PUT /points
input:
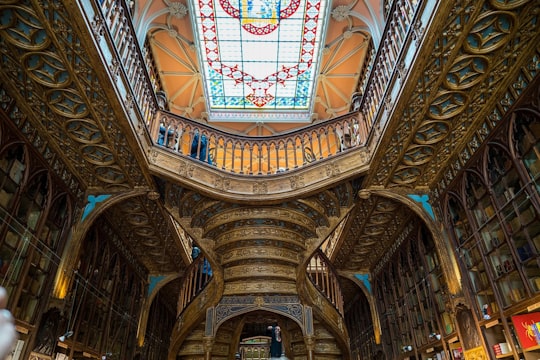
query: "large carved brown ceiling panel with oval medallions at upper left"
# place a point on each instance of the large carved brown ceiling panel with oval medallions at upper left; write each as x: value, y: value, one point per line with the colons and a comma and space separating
x: 46, y: 66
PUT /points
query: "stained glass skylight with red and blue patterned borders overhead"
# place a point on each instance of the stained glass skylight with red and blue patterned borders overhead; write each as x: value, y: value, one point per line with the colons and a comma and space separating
x: 259, y: 57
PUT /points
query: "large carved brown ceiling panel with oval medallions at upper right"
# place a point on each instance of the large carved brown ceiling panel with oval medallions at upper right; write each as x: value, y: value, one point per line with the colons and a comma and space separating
x: 474, y: 63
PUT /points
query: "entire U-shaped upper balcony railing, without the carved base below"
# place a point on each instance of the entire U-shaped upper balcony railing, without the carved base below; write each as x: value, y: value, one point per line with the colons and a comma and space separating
x: 256, y: 155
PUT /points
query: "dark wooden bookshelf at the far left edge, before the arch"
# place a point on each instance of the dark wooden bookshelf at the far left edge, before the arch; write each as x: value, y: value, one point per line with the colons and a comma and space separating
x: 28, y: 242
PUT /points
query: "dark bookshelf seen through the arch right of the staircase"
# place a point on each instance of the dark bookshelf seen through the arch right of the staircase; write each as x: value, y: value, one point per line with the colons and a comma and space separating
x: 411, y: 297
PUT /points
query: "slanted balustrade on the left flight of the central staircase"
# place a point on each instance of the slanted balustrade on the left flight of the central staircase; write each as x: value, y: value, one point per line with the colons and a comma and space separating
x: 198, y: 274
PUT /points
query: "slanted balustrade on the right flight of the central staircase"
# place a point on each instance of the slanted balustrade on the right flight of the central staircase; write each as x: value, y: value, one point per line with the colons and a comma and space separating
x: 324, y: 277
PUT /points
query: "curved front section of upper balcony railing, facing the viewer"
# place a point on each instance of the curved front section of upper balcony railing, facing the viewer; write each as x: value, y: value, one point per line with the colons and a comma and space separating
x: 259, y: 155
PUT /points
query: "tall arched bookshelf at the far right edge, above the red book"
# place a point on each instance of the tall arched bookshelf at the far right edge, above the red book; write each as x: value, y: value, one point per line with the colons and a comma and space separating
x: 493, y: 213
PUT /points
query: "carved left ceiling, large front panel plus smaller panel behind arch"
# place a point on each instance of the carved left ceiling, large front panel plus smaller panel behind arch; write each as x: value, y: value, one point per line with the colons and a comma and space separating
x: 65, y: 108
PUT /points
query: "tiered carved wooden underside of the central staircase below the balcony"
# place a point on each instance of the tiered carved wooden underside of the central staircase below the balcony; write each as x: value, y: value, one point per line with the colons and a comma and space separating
x: 259, y: 247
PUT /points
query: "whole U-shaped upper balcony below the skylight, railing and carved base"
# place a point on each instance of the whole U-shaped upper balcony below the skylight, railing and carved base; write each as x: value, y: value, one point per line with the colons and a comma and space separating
x: 303, y: 154
